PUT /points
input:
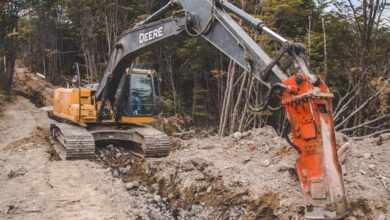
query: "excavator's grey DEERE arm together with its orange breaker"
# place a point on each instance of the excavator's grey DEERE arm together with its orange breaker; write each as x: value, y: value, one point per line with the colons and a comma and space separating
x: 304, y: 95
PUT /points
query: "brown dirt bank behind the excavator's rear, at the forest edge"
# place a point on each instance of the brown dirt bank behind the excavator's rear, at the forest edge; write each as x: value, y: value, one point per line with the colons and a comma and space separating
x: 28, y: 84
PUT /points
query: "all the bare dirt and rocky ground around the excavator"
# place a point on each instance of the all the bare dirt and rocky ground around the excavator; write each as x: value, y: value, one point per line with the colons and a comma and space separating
x: 246, y: 176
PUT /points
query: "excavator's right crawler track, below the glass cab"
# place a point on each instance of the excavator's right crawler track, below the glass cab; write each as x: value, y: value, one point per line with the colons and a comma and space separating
x: 145, y: 140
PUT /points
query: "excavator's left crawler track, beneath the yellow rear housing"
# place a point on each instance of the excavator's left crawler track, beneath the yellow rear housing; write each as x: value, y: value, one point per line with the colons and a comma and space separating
x: 72, y: 142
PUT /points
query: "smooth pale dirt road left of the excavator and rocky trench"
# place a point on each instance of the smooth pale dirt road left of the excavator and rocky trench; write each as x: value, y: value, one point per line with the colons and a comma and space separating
x: 34, y: 187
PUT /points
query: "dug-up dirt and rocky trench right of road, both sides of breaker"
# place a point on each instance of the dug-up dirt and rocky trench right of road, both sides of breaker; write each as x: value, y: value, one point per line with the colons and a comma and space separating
x: 249, y: 176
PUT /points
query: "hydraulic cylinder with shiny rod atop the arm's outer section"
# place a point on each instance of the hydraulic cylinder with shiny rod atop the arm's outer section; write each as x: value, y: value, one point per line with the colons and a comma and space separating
x: 254, y: 22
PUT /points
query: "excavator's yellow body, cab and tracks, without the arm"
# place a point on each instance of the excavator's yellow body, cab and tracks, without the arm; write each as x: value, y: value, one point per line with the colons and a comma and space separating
x: 75, y: 137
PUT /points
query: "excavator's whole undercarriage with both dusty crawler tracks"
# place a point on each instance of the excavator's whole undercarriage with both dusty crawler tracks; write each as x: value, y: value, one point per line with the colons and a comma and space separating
x: 73, y: 142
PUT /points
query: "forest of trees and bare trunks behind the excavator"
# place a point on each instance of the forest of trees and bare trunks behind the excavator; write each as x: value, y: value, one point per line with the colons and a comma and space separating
x: 347, y: 43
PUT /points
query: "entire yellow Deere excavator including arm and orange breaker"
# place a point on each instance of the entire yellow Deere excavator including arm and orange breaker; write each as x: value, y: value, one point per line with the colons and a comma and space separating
x: 121, y: 106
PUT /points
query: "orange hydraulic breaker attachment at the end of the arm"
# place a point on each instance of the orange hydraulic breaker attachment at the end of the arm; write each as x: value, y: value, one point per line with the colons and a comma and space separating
x: 309, y: 111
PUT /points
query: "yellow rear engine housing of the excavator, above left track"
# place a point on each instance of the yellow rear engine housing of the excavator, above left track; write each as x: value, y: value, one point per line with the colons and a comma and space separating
x: 66, y: 105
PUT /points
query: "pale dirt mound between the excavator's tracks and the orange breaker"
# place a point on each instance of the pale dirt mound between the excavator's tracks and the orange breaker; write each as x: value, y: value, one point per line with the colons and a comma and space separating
x: 246, y: 176
